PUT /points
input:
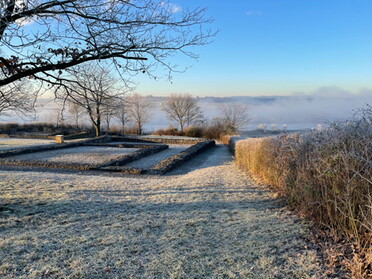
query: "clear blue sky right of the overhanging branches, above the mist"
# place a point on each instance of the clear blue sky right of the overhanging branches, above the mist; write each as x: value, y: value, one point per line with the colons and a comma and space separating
x: 277, y: 47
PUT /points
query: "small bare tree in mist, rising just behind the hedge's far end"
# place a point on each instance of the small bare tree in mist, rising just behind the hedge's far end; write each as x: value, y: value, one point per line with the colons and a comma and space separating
x: 234, y: 116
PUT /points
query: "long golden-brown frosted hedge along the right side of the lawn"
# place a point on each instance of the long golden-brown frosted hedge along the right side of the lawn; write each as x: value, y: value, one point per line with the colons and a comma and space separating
x: 327, y: 175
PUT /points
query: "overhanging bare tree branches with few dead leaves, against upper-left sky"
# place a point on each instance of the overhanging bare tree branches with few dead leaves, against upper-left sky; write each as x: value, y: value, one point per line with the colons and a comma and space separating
x: 133, y: 35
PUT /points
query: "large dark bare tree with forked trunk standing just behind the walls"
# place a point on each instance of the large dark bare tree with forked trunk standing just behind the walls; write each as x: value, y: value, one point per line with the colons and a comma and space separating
x: 94, y: 90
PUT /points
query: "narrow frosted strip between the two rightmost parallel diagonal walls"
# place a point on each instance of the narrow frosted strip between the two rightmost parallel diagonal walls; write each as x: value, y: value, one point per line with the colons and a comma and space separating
x: 150, y: 161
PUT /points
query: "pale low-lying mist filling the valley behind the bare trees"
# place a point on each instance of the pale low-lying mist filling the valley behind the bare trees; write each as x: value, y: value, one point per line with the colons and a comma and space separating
x: 297, y: 111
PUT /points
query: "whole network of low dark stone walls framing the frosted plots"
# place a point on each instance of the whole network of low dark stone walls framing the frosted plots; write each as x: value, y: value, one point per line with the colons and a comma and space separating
x: 113, y: 165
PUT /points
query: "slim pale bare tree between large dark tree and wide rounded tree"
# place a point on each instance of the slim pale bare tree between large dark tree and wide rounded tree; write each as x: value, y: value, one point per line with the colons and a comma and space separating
x: 139, y: 111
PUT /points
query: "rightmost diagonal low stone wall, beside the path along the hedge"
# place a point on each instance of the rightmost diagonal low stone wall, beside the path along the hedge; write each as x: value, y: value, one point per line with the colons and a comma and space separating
x: 172, y: 162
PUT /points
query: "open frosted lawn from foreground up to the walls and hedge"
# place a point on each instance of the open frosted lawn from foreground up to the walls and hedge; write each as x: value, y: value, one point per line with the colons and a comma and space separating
x: 203, y: 220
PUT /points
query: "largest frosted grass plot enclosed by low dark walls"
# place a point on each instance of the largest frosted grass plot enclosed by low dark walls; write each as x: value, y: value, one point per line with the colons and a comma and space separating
x: 82, y: 154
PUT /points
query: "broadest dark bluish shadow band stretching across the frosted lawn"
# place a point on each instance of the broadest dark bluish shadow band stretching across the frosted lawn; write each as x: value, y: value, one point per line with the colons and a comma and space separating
x: 102, y: 209
